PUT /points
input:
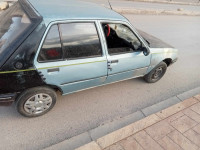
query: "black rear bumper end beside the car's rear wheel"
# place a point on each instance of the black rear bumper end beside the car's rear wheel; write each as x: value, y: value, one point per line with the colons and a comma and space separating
x: 7, y: 99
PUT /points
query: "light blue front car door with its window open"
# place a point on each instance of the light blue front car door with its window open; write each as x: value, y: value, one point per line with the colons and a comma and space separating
x: 124, y: 52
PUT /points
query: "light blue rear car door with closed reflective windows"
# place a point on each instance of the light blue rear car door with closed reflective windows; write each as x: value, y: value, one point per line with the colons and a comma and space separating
x: 71, y: 56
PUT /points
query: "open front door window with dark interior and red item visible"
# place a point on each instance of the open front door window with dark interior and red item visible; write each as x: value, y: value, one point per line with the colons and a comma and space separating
x: 120, y: 39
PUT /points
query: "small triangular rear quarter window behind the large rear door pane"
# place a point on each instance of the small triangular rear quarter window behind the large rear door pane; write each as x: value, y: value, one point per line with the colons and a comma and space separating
x: 51, y: 49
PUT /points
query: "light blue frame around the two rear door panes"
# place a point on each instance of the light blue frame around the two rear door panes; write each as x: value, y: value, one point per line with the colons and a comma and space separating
x: 67, y: 22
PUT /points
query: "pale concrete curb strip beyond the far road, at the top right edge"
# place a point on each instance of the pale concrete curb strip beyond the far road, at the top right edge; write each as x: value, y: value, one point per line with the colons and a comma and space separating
x: 167, y: 2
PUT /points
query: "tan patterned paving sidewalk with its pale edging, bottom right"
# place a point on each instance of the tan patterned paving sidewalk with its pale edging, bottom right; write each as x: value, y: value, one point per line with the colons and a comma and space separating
x: 174, y: 128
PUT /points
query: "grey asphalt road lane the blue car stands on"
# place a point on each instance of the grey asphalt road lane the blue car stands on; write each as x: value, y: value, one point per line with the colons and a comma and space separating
x: 79, y: 112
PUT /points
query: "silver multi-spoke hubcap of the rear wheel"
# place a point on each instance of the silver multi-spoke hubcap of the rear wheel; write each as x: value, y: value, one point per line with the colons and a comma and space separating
x: 38, y: 103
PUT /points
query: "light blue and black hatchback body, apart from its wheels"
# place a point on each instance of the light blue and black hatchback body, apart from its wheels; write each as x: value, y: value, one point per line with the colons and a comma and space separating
x: 71, y: 46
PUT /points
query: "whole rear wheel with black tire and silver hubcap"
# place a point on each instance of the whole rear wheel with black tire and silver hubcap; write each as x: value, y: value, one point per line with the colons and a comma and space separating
x: 36, y: 101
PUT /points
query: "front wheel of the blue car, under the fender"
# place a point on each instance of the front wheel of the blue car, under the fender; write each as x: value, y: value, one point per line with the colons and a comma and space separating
x: 157, y: 73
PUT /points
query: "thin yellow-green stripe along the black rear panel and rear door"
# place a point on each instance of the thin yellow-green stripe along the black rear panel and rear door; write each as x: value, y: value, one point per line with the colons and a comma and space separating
x: 4, y: 72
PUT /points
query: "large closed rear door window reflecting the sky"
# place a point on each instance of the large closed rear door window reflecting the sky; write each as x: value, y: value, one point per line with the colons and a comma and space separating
x: 80, y: 40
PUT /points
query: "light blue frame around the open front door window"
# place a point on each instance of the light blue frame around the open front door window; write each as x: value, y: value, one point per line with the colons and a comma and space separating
x: 130, y: 26
